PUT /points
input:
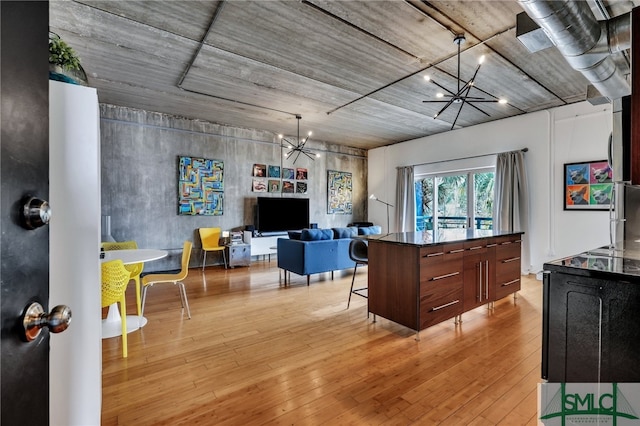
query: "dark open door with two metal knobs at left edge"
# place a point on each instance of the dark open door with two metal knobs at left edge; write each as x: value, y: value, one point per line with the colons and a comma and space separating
x: 24, y: 170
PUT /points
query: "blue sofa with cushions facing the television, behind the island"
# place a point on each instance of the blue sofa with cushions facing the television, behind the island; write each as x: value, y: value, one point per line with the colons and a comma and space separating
x: 313, y: 251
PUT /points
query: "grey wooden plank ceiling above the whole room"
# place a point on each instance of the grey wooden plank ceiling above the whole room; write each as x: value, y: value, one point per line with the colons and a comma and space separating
x: 352, y: 69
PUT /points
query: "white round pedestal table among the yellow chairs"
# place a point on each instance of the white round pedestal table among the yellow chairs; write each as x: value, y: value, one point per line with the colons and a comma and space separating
x: 112, y: 325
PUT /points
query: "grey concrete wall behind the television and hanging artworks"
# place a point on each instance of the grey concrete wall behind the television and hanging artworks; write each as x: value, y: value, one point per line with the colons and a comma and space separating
x: 139, y: 155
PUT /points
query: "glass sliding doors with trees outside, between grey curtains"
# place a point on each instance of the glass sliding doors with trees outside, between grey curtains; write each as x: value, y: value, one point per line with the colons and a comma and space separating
x: 455, y: 200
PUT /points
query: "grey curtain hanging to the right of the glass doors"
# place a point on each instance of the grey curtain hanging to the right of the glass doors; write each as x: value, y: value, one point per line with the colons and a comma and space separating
x: 511, y: 203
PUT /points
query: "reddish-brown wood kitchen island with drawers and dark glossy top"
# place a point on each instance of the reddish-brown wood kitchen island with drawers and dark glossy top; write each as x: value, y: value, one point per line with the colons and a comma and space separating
x: 419, y: 279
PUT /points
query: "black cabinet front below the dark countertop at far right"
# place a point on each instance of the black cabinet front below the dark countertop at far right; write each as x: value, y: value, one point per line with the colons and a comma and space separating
x: 591, y: 329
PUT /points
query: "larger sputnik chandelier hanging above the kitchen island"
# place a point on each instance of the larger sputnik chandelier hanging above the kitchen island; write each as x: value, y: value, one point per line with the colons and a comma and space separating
x: 461, y: 97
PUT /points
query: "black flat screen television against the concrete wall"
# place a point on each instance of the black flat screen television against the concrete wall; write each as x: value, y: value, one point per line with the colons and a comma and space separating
x: 281, y: 214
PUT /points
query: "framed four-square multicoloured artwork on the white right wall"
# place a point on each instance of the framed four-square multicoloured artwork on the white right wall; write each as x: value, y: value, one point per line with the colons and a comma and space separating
x: 588, y: 185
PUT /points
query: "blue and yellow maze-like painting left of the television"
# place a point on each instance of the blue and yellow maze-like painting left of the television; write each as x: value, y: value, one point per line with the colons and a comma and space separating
x: 200, y: 186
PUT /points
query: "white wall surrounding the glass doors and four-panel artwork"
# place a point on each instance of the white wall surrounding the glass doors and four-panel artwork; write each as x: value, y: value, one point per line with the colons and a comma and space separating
x: 569, y: 134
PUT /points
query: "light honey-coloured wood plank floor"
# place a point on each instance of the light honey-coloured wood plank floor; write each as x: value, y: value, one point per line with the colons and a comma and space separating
x: 256, y: 352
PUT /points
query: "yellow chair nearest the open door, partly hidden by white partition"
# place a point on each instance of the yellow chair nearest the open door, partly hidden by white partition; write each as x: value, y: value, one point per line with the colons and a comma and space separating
x: 115, y: 278
